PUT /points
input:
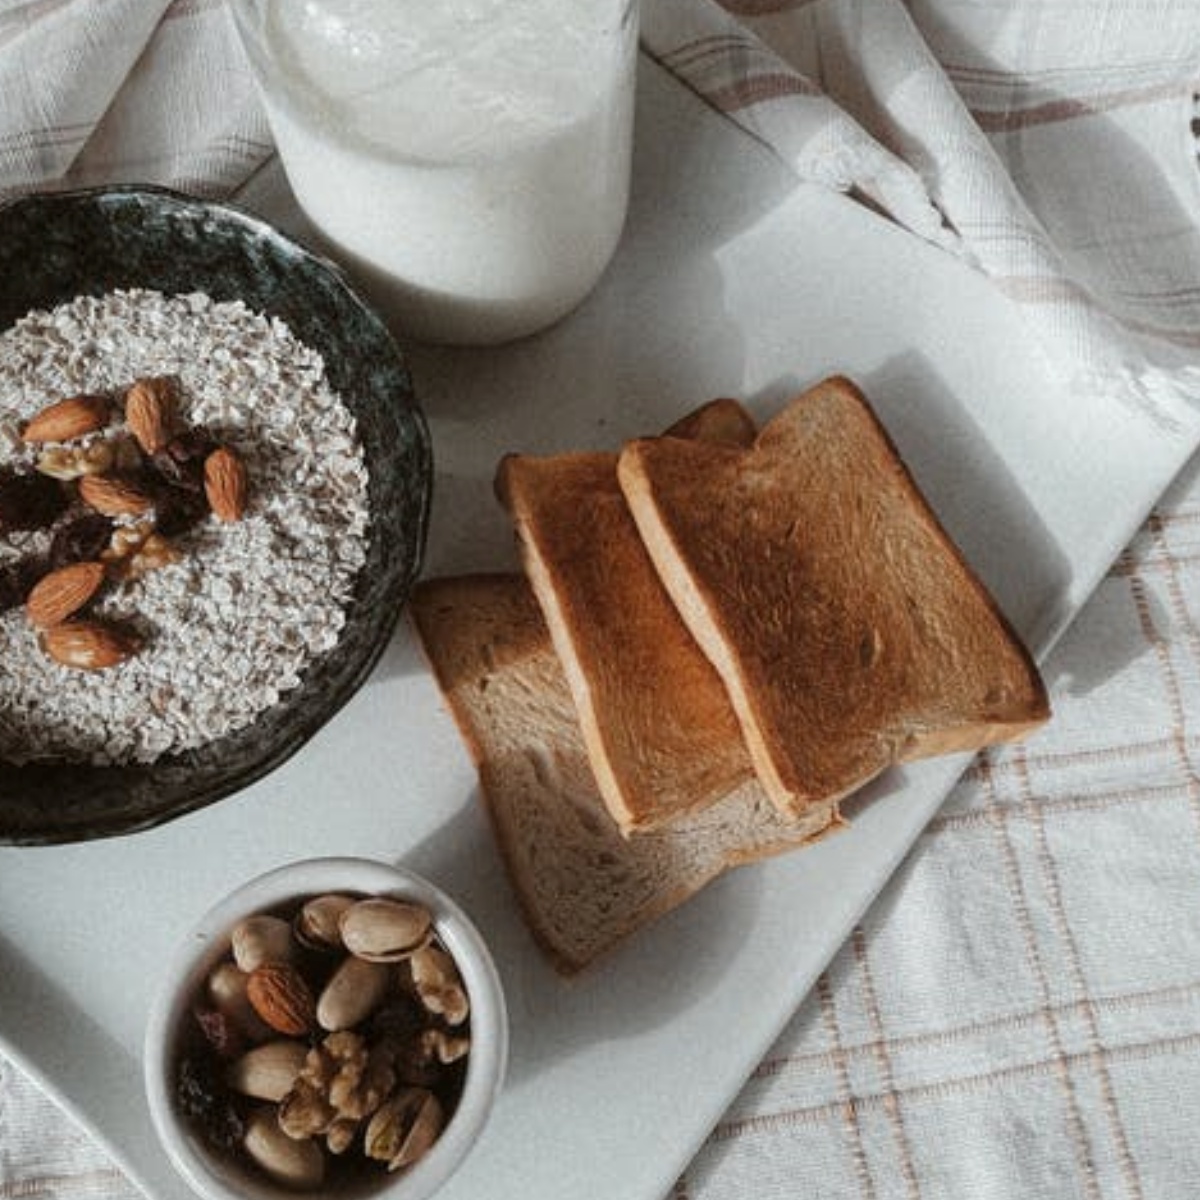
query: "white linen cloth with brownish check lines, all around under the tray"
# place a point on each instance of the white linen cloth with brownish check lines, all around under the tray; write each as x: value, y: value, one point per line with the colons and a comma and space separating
x: 1019, y: 1015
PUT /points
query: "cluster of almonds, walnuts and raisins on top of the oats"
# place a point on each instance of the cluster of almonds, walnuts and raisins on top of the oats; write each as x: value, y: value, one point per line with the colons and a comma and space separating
x: 118, y: 478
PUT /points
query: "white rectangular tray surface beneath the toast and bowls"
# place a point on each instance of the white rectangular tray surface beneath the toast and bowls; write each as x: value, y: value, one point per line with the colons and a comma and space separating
x: 731, y: 280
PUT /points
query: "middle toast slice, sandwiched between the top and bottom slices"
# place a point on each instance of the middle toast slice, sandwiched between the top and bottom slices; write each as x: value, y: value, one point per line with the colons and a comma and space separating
x: 657, y: 721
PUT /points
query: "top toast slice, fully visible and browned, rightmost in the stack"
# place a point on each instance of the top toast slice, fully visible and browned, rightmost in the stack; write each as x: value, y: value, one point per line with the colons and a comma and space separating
x: 849, y: 631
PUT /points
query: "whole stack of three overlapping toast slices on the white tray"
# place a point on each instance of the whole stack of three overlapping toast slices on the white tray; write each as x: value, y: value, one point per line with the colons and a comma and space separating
x: 721, y: 633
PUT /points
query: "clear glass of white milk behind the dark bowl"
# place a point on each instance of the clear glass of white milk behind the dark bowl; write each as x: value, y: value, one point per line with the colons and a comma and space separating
x: 467, y: 160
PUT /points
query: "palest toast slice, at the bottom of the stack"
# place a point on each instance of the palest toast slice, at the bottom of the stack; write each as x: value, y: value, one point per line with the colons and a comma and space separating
x: 581, y: 885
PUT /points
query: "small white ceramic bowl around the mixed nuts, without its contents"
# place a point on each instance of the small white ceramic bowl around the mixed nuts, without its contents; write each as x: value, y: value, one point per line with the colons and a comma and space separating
x: 223, y: 1177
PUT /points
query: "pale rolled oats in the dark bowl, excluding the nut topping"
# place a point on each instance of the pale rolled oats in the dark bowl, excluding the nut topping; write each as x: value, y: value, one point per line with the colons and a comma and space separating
x: 243, y: 609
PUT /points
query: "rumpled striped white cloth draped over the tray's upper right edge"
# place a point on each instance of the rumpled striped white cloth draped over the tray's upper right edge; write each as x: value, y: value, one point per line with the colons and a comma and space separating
x: 1053, y: 140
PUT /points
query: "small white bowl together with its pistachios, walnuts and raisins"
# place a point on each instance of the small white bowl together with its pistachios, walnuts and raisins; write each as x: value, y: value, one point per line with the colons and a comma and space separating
x: 337, y: 1025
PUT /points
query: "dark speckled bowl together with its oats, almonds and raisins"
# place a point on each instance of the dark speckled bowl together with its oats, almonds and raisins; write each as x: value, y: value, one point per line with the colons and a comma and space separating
x: 215, y: 485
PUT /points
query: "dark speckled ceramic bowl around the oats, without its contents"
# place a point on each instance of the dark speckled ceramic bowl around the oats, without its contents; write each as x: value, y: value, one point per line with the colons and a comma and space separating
x: 56, y: 248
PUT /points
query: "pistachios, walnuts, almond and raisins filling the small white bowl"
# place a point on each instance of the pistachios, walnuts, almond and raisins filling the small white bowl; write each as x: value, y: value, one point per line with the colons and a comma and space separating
x: 335, y: 1034
